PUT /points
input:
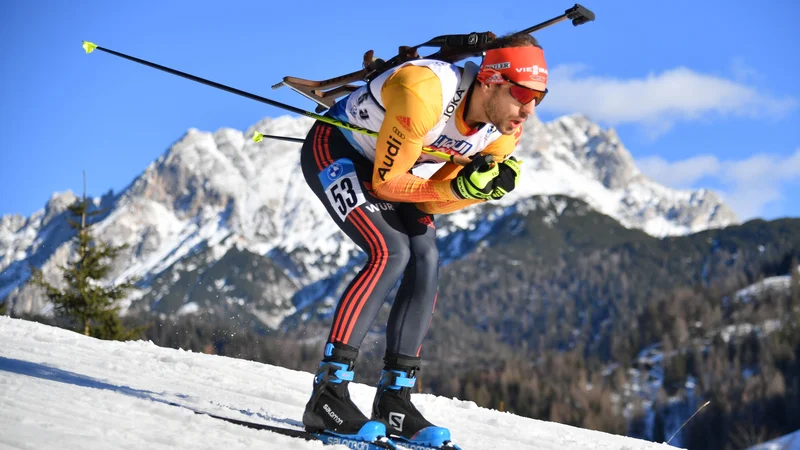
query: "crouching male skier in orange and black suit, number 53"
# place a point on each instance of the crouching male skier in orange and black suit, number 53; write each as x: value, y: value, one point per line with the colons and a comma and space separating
x: 367, y: 187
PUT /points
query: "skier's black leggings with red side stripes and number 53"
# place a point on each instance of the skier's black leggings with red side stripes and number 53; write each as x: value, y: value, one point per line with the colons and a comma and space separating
x: 398, y: 238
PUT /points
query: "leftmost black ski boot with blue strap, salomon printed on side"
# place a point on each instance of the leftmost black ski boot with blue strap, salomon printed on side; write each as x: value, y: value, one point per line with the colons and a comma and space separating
x: 330, y: 409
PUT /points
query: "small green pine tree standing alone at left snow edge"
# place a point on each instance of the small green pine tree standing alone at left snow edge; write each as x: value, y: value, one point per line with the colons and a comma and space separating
x: 85, y: 299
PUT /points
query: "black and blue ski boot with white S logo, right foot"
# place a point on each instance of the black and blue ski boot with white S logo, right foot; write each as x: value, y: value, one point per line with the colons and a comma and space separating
x: 393, y: 405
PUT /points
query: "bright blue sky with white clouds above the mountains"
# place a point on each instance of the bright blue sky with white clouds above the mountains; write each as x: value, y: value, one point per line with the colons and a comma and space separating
x: 703, y: 94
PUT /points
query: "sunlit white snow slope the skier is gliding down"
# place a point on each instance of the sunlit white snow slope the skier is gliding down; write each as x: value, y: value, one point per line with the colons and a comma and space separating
x: 63, y: 390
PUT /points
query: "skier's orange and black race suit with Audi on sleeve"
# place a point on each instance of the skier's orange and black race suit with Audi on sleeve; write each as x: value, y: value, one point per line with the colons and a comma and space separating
x: 386, y: 210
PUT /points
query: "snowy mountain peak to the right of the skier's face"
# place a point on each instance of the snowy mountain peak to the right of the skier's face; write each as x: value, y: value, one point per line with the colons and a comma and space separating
x: 573, y: 156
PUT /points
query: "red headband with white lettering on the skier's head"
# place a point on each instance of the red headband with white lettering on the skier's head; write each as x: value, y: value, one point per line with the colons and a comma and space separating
x: 519, y: 64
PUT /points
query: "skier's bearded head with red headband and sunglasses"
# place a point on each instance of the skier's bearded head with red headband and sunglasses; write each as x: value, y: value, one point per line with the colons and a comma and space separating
x: 512, y: 80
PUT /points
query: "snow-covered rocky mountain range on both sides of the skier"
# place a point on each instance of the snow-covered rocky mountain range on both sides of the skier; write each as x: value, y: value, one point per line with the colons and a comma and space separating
x: 211, y: 192
